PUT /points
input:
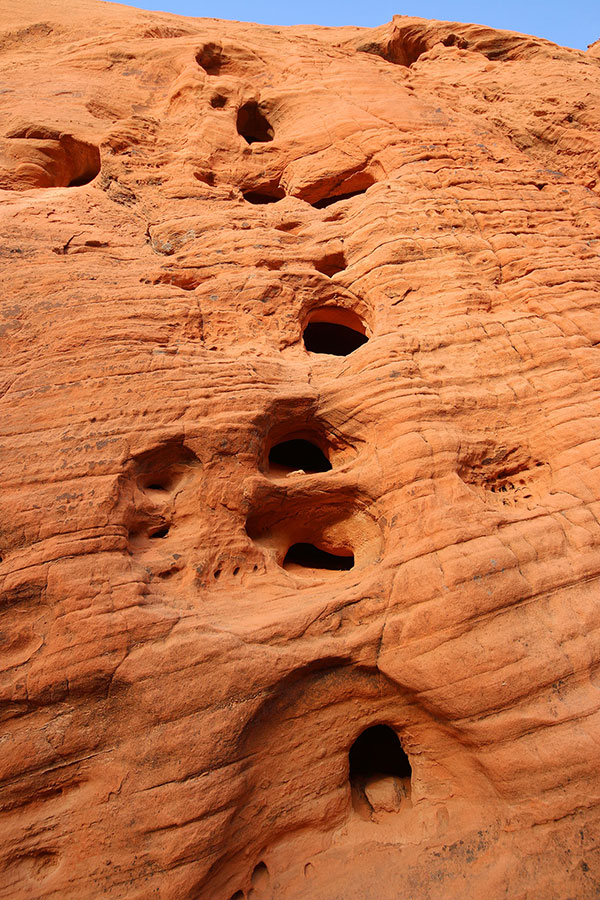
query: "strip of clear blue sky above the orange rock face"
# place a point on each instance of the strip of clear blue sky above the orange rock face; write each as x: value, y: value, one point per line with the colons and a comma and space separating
x: 573, y: 23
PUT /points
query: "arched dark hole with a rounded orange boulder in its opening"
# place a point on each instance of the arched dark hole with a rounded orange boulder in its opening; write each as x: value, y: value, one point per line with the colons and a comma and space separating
x: 379, y: 771
